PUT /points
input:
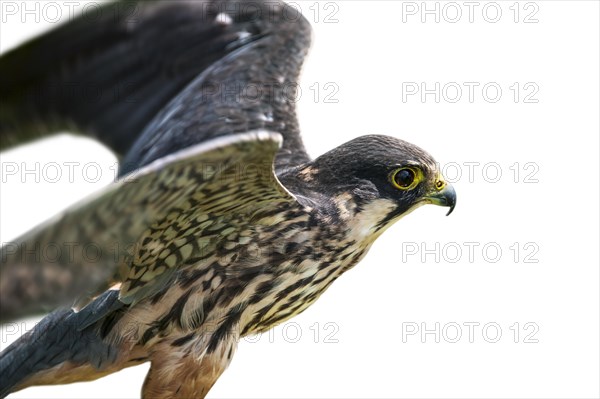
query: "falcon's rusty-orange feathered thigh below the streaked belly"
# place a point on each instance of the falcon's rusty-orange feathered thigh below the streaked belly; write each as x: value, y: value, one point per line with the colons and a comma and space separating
x: 187, y: 366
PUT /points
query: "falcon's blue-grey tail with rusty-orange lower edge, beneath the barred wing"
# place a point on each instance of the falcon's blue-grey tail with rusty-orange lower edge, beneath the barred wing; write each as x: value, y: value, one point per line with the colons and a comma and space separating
x: 55, y: 351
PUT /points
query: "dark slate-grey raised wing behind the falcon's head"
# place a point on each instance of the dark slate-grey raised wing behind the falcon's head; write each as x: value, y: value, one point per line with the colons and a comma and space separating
x: 123, y: 73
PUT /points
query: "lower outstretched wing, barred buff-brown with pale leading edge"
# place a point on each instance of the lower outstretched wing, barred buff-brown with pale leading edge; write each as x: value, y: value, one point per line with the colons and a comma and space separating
x: 134, y: 222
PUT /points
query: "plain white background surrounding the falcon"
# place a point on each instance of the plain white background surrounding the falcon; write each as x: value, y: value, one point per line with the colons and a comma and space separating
x: 370, y: 53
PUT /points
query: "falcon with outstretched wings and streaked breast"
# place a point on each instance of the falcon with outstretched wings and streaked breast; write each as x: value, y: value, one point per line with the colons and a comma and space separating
x: 220, y: 224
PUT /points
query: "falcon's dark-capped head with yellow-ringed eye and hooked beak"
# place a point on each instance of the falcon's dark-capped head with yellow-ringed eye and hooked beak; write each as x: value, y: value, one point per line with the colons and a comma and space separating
x: 378, y: 179
